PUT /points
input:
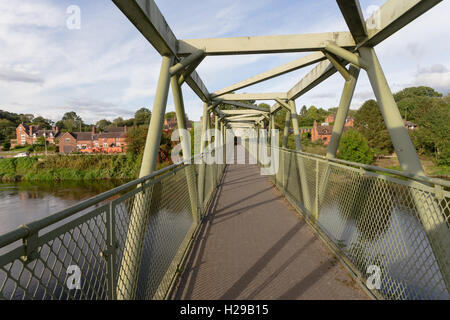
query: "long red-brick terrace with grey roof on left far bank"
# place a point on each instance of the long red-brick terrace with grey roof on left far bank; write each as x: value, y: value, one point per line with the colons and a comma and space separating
x: 113, y: 140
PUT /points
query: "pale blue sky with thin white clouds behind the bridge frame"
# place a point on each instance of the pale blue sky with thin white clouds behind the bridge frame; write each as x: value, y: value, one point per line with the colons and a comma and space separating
x: 106, y: 68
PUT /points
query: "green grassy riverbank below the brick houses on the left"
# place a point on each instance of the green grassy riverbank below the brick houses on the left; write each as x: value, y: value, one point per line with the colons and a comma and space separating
x: 60, y: 167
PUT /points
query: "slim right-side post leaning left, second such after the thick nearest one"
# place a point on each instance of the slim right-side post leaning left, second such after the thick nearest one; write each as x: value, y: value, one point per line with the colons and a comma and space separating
x: 300, y: 162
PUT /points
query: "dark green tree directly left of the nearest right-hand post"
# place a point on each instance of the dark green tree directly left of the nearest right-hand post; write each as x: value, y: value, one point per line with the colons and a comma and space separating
x: 370, y: 123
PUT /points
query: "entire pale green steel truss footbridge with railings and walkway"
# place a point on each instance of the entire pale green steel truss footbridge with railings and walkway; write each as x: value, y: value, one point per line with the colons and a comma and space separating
x: 282, y: 224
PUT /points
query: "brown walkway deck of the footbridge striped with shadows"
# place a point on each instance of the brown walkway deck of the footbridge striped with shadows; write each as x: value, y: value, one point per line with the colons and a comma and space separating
x: 253, y: 245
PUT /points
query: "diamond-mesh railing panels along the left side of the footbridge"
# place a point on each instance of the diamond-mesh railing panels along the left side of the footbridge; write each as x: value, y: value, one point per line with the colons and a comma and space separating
x: 127, y: 243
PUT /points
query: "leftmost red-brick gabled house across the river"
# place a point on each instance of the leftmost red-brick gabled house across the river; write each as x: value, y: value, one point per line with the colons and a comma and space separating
x: 29, y: 134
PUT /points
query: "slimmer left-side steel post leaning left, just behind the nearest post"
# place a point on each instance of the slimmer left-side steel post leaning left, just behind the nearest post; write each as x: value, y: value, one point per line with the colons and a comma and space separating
x: 186, y: 146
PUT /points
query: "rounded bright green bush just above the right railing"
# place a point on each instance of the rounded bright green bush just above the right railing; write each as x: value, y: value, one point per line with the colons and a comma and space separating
x: 354, y: 147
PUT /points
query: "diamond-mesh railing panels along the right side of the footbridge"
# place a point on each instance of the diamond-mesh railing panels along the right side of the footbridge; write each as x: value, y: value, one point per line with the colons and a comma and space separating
x: 376, y: 217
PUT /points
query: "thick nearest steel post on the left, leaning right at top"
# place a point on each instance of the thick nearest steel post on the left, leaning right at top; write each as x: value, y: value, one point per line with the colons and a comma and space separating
x: 129, y: 267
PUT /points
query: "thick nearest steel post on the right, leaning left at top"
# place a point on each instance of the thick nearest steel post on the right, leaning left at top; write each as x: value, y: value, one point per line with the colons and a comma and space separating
x: 431, y: 216
